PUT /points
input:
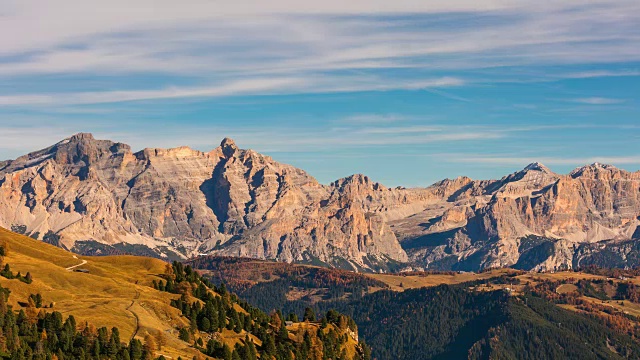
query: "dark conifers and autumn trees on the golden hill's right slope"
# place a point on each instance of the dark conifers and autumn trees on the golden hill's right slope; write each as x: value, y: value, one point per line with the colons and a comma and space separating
x: 217, y: 311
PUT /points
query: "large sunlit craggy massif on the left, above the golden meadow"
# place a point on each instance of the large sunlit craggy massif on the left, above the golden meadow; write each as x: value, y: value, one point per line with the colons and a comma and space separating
x: 182, y: 201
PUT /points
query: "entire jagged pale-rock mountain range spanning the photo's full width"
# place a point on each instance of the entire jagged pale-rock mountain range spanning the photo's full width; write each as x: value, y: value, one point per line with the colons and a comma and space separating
x: 180, y: 202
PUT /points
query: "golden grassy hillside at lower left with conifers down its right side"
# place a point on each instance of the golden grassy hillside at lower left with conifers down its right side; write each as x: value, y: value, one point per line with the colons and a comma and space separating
x: 123, y: 292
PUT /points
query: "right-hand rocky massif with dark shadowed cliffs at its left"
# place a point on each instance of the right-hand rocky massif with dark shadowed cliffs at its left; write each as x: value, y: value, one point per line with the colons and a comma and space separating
x: 592, y: 204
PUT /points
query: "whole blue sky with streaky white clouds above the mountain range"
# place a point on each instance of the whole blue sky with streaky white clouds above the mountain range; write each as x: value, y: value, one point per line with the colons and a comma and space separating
x: 407, y: 92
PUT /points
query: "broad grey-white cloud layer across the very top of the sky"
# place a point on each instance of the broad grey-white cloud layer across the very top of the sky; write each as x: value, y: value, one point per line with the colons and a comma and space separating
x: 287, y: 37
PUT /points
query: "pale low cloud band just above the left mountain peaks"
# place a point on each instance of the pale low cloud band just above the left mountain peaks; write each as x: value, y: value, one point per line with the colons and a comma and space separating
x: 266, y: 139
